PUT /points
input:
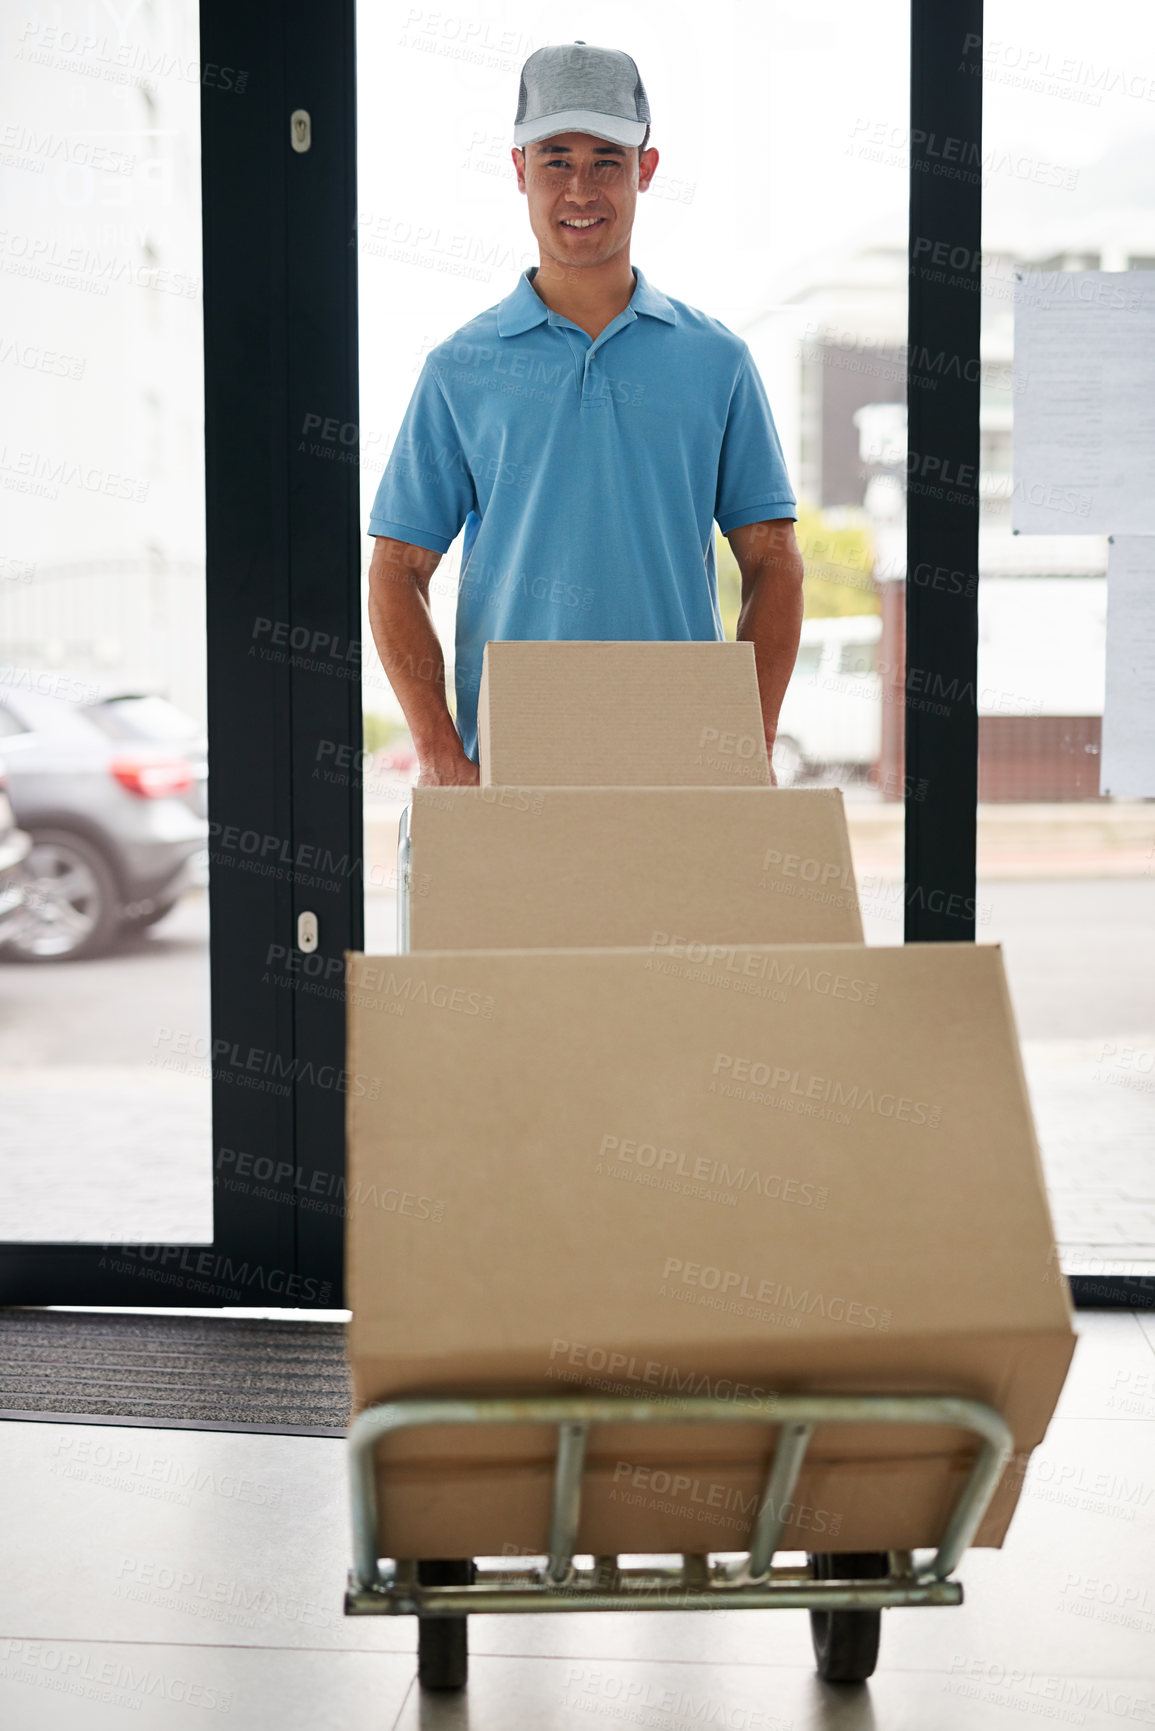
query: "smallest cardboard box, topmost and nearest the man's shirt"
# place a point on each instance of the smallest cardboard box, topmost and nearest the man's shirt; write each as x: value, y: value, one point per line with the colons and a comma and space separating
x: 621, y: 716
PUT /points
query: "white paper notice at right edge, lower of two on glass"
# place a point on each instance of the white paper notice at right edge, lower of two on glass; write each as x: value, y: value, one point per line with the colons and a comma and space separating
x: 1128, y: 759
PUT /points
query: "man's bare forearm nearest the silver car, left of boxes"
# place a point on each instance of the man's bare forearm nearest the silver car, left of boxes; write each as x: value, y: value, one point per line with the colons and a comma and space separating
x: 411, y: 653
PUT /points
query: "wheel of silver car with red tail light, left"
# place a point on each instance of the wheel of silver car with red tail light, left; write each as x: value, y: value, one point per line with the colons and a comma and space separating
x: 72, y: 901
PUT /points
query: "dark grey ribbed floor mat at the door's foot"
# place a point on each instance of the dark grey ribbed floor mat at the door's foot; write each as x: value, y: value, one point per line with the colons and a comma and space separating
x: 174, y: 1372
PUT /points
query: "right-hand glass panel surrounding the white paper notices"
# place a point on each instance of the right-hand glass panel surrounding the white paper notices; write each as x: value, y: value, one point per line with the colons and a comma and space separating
x: 1066, y: 868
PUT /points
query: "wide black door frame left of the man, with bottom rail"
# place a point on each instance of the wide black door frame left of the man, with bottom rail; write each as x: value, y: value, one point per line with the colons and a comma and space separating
x: 283, y: 602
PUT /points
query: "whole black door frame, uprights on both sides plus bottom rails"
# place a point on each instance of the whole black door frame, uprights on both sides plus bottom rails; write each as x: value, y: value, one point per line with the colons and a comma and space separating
x: 283, y: 524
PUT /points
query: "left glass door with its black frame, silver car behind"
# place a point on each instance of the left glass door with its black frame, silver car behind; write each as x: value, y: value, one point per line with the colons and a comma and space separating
x: 181, y: 312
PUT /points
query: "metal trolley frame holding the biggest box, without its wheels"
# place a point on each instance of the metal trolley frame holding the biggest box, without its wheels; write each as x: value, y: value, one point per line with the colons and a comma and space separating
x: 751, y: 1585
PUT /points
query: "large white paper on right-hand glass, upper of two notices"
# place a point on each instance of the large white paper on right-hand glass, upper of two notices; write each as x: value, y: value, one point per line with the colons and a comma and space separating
x: 1085, y: 402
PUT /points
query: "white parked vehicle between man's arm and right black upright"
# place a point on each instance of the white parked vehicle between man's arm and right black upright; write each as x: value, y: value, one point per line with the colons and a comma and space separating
x: 832, y: 712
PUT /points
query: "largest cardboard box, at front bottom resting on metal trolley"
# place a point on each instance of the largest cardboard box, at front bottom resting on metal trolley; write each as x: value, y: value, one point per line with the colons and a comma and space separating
x: 790, y: 1169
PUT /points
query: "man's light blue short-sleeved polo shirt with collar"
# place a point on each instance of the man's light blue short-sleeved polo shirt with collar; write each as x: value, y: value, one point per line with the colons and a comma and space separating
x: 588, y: 473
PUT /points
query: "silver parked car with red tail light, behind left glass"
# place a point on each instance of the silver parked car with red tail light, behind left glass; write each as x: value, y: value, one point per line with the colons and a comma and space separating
x: 113, y: 795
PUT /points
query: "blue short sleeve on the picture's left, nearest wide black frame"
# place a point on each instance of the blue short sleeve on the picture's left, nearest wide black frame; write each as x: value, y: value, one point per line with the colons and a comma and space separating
x: 427, y: 491
